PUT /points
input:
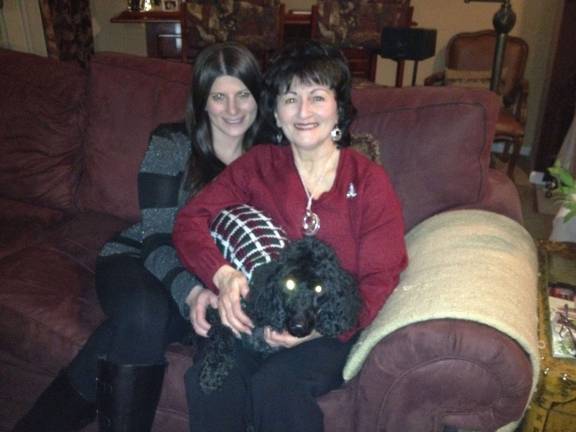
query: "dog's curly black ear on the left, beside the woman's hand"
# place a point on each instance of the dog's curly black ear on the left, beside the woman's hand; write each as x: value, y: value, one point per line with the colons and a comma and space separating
x: 265, y: 304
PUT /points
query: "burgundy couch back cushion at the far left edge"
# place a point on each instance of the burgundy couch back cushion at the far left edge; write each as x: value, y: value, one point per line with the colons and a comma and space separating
x: 41, y: 127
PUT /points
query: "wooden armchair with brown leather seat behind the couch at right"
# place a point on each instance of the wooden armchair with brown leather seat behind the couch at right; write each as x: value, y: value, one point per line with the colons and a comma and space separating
x: 469, y: 58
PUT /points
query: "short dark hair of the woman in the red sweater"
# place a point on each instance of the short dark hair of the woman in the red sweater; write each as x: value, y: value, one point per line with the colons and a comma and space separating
x: 309, y: 62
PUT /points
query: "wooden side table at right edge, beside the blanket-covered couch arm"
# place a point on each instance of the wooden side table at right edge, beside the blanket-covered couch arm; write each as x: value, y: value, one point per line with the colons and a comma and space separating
x: 553, y: 408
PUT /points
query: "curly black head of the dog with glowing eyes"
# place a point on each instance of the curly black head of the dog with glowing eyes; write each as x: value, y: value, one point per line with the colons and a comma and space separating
x: 304, y: 290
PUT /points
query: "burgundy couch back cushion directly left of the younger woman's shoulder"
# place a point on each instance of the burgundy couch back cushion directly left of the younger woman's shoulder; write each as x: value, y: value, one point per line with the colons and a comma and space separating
x: 128, y: 97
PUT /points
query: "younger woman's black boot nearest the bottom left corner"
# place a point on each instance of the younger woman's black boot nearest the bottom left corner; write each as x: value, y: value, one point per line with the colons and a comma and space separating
x: 60, y: 408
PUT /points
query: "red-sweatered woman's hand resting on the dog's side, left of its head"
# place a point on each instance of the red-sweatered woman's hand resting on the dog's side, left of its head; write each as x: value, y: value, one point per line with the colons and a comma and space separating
x: 233, y: 286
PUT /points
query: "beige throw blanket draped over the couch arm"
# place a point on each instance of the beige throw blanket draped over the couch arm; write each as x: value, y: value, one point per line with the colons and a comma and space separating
x: 466, y: 264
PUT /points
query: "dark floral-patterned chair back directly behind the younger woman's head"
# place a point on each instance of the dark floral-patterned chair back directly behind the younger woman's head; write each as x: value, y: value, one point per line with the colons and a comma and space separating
x: 257, y: 24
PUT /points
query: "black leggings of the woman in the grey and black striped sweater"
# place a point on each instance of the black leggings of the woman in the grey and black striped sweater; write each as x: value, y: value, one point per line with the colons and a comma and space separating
x: 142, y: 320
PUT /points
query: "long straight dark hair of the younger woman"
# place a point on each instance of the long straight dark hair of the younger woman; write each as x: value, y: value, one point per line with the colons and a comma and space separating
x: 213, y: 62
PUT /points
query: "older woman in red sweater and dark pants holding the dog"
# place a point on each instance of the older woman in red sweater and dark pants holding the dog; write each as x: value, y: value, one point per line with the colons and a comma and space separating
x: 310, y: 184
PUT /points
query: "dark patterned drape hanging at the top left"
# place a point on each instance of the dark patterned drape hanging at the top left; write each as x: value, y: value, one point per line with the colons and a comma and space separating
x: 68, y: 29
